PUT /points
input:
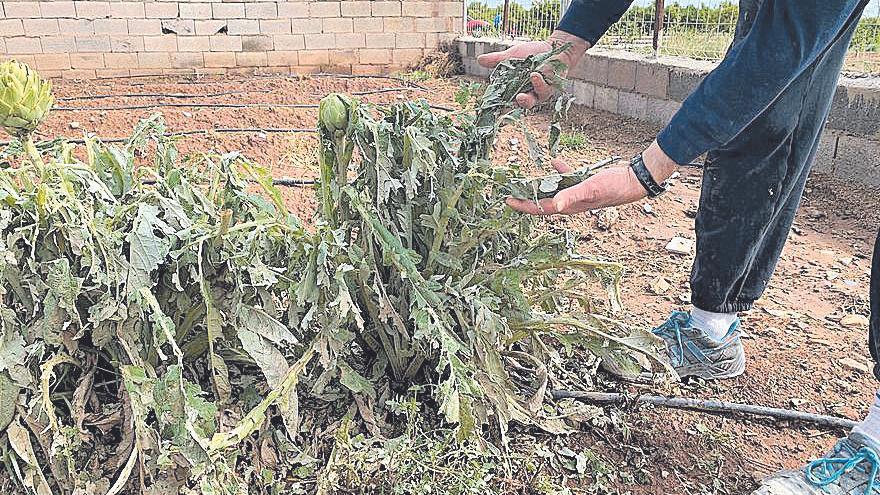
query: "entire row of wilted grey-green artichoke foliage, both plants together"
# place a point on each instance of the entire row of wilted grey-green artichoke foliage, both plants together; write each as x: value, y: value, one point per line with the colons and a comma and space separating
x: 168, y: 327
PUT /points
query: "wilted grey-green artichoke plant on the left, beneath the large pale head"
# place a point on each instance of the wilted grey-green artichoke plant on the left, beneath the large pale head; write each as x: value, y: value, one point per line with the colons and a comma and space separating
x: 142, y: 297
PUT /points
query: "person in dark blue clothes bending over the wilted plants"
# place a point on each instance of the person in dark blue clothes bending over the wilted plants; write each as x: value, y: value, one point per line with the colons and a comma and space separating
x: 758, y: 117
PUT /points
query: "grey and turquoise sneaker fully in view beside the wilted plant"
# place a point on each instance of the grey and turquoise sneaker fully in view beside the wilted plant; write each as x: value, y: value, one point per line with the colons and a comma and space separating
x: 692, y: 353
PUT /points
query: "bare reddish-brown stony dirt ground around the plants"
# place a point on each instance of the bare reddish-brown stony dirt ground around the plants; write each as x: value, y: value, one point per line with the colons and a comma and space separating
x: 802, y: 353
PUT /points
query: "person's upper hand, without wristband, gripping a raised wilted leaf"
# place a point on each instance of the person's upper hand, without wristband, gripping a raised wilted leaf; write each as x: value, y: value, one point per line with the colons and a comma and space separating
x: 542, y: 90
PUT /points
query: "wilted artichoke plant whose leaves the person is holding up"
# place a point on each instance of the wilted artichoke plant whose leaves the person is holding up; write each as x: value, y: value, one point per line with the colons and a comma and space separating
x: 437, y: 281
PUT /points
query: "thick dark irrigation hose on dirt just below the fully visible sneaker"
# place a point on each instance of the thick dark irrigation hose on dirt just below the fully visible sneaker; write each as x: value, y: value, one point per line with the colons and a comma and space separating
x: 709, y: 406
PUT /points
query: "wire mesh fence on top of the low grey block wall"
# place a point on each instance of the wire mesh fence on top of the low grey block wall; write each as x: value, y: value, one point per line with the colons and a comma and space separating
x: 701, y: 31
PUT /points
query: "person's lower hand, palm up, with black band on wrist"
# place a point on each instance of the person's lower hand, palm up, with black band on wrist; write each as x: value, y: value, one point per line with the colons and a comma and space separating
x: 613, y: 186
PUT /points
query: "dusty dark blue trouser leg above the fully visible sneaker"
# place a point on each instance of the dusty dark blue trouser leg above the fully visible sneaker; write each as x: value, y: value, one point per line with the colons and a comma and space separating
x: 752, y: 185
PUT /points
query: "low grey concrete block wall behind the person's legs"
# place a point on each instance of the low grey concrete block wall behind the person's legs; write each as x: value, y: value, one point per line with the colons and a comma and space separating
x: 652, y: 90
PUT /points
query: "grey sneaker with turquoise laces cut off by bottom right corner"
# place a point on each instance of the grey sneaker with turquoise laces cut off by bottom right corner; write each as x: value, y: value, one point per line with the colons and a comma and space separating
x: 851, y: 468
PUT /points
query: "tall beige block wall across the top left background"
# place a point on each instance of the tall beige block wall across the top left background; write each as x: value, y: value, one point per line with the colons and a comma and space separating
x: 85, y: 39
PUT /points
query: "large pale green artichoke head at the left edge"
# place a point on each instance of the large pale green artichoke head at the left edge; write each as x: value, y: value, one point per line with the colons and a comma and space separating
x: 25, y: 98
